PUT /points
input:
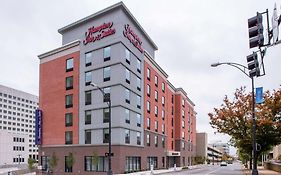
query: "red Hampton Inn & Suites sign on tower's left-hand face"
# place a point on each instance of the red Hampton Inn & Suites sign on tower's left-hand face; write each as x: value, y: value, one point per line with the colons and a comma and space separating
x: 97, y: 33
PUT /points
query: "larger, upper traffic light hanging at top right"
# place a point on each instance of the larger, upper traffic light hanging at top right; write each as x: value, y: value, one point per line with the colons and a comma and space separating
x: 255, y: 31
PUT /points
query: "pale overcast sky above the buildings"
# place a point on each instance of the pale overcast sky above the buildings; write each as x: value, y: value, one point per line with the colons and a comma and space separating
x: 190, y: 35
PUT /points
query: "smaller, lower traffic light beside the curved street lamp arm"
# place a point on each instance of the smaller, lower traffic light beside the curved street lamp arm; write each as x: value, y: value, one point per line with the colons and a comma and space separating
x: 253, y: 65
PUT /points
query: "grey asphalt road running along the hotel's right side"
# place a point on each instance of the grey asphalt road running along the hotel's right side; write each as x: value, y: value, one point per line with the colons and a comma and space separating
x: 230, y: 169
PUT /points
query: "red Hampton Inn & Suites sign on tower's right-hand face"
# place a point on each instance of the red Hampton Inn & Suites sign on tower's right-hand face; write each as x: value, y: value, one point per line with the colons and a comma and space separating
x: 133, y: 37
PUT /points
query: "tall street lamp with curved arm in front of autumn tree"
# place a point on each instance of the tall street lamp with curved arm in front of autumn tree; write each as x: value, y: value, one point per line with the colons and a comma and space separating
x: 243, y: 69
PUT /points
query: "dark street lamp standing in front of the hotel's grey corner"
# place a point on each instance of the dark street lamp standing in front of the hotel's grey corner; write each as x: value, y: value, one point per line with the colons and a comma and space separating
x: 109, y: 172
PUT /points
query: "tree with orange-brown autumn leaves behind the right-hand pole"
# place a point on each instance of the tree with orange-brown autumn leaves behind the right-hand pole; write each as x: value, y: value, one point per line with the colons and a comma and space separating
x: 234, y: 118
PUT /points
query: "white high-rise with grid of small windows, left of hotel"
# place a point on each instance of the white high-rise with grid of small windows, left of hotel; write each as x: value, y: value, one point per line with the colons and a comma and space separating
x: 17, y: 126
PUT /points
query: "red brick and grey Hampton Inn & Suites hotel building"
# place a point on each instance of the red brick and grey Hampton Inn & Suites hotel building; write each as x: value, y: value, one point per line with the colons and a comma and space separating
x: 153, y: 123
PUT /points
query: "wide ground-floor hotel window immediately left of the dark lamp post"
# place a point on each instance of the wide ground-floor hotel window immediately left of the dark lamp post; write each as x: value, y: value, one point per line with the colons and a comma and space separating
x: 96, y: 163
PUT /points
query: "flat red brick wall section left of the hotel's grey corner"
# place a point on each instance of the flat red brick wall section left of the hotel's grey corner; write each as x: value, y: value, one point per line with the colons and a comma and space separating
x: 52, y: 99
